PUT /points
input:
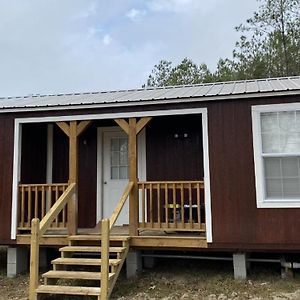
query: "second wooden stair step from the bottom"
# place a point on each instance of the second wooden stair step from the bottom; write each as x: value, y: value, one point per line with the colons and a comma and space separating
x: 75, y: 275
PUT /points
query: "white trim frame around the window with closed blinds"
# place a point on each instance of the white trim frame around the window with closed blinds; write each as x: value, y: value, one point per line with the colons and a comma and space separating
x: 258, y: 158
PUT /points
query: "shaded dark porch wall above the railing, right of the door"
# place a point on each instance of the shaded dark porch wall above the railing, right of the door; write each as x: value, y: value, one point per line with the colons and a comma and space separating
x: 180, y: 158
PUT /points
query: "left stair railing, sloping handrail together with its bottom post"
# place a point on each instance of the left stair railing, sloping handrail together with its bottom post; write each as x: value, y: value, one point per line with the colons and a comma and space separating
x: 38, y: 228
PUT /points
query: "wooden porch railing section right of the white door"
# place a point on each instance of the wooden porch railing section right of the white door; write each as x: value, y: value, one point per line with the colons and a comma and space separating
x: 171, y: 205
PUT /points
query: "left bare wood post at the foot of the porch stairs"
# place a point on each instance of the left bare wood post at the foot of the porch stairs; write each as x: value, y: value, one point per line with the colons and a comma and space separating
x: 34, y: 259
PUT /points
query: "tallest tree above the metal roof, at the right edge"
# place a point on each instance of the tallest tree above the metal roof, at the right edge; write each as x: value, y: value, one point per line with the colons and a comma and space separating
x: 270, y: 41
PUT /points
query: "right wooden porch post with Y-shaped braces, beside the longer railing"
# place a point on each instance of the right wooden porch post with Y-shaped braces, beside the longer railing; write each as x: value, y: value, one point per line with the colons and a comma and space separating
x: 133, y: 128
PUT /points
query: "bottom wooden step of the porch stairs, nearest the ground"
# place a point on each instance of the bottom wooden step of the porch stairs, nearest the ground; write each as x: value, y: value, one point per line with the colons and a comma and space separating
x: 68, y: 290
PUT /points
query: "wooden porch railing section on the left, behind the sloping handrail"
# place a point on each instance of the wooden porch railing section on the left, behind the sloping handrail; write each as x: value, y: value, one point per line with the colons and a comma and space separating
x: 35, y: 200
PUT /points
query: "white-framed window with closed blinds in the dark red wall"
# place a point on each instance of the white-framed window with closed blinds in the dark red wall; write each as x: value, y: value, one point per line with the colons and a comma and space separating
x: 276, y: 140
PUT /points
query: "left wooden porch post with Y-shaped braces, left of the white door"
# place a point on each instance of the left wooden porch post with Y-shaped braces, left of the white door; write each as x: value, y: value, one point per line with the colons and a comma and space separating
x: 73, y: 130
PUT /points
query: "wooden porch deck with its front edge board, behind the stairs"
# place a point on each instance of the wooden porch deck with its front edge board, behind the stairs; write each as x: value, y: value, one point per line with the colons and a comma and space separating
x: 146, y: 239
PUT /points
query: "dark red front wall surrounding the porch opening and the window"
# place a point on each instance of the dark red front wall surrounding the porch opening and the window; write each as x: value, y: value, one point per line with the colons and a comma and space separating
x: 237, y: 223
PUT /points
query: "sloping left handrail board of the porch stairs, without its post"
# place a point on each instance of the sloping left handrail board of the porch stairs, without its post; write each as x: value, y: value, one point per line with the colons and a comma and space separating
x: 56, y: 208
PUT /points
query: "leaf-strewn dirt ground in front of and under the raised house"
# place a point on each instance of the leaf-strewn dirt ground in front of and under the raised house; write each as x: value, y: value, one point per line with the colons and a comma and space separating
x: 181, y: 279
